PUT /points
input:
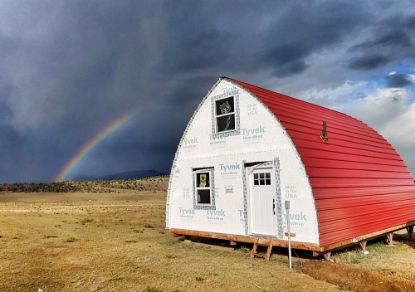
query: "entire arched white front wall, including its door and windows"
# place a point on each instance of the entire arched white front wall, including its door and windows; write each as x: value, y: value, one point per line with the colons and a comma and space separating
x: 234, y: 168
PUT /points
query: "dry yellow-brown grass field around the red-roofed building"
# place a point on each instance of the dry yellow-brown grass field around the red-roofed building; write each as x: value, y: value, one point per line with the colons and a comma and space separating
x: 115, y: 240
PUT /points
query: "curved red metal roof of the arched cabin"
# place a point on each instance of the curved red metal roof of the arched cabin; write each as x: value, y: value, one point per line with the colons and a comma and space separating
x: 360, y: 183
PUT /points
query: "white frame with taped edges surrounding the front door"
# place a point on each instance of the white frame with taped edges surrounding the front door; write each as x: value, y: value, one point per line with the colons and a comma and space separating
x: 275, y: 163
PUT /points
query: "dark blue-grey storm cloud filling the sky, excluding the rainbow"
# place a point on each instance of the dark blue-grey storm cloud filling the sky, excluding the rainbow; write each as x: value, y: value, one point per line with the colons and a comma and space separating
x: 69, y: 68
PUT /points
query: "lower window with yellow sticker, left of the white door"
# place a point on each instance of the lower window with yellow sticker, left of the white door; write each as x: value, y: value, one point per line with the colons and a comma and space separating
x: 204, y: 190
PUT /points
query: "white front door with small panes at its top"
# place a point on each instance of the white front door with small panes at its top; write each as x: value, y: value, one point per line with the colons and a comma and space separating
x: 262, y: 192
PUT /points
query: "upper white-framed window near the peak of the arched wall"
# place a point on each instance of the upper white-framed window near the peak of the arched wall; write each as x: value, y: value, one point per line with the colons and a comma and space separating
x: 225, y: 114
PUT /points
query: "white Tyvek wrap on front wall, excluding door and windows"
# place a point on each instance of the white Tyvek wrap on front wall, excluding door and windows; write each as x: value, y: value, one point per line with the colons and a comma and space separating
x: 260, y: 137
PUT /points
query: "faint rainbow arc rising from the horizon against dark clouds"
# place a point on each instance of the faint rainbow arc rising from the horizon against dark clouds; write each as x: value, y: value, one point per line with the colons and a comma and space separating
x: 90, y: 144
